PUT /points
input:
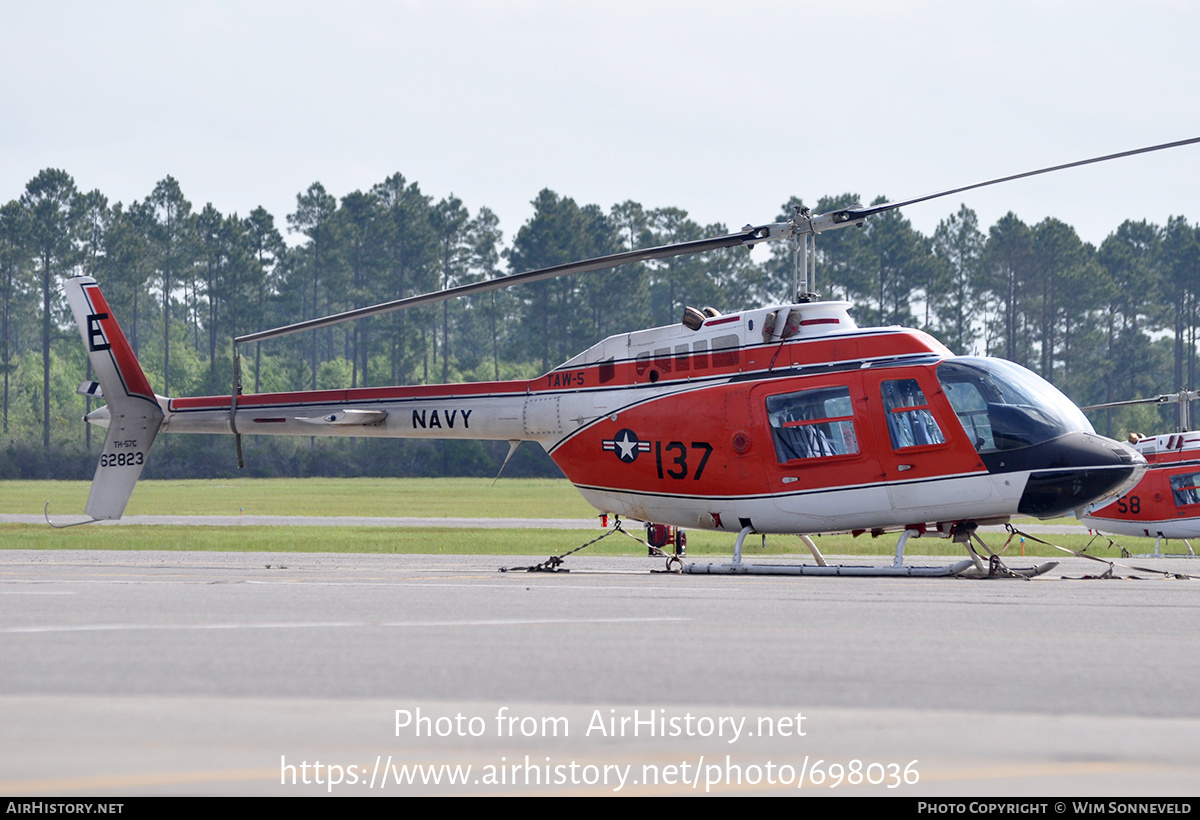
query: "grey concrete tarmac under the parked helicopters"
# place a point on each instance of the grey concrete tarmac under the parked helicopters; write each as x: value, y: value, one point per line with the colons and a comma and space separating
x: 259, y: 674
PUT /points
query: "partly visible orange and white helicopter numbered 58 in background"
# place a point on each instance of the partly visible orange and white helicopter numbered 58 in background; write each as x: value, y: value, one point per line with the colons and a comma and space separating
x: 1166, y: 504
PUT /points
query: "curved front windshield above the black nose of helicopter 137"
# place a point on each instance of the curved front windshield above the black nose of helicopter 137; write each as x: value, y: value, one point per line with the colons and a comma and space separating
x: 1004, y: 406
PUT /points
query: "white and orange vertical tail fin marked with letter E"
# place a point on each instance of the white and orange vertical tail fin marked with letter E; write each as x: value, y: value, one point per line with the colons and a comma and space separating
x: 134, y: 411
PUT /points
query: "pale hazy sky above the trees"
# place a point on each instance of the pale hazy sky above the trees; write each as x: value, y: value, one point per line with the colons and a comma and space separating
x: 724, y: 110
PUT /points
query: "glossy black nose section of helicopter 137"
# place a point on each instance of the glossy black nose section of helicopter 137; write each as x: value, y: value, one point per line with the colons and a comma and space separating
x: 1070, y: 472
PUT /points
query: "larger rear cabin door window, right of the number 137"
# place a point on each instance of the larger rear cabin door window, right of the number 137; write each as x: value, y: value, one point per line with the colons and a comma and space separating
x: 813, y: 424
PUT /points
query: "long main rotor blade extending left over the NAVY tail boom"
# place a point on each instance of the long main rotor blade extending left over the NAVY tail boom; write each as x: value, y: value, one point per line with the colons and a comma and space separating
x: 748, y: 236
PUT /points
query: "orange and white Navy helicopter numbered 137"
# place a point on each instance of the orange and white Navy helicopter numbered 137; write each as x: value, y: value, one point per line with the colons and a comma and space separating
x: 779, y: 420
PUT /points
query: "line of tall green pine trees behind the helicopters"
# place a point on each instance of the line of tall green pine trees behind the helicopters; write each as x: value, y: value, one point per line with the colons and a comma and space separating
x: 1102, y: 324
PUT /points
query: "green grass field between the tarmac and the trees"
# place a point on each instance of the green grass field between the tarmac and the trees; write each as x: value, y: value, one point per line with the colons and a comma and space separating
x: 537, y: 499
